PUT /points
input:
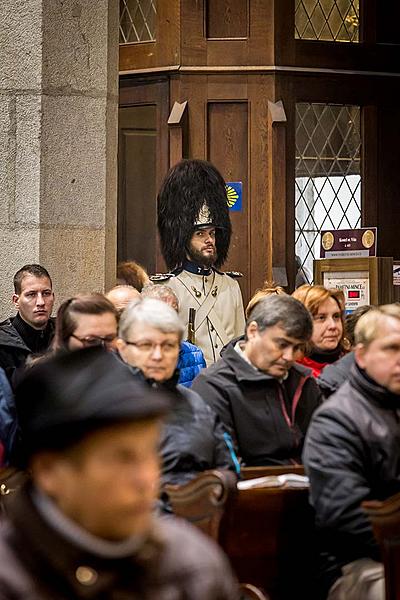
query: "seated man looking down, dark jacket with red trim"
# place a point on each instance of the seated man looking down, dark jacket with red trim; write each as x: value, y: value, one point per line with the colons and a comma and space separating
x: 264, y: 399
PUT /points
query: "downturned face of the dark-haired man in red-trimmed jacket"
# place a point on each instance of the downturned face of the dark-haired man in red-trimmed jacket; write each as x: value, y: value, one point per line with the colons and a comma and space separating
x: 272, y: 350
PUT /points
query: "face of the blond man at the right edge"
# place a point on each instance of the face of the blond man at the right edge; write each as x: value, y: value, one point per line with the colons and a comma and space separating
x: 381, y: 359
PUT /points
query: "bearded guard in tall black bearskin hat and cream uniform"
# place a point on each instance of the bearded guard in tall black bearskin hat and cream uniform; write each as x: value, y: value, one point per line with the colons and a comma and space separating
x: 195, y: 232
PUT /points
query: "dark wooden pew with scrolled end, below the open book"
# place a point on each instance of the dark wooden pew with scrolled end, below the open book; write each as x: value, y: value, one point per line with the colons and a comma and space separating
x: 266, y: 532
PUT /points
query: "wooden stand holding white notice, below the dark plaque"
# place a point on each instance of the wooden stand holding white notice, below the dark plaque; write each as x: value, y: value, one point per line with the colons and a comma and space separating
x: 366, y: 280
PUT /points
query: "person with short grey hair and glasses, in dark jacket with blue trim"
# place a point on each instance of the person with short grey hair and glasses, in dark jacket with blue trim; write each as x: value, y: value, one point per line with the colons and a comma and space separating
x: 193, y: 439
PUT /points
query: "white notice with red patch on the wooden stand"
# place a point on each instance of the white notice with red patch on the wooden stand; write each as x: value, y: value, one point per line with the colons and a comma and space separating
x: 354, y: 284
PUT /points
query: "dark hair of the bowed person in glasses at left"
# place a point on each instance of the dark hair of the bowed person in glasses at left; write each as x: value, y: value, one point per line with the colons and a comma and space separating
x: 85, y: 304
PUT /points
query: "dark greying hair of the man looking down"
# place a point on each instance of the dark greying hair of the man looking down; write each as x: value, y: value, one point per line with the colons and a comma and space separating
x: 285, y: 311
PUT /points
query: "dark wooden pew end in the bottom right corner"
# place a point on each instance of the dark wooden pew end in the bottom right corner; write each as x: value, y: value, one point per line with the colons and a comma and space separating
x: 385, y: 519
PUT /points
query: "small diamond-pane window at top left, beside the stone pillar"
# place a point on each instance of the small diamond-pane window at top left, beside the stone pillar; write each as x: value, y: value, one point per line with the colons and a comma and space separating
x: 137, y: 21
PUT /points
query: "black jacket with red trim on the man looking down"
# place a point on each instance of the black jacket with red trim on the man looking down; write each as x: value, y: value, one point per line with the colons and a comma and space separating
x: 267, y: 419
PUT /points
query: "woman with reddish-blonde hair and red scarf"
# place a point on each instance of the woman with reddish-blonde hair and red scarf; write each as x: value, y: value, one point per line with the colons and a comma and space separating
x: 327, y: 310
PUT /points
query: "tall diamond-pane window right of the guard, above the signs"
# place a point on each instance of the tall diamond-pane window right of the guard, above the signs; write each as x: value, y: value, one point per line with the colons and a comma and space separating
x: 328, y: 177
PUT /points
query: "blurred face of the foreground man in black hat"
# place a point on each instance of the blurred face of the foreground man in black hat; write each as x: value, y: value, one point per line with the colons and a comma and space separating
x: 108, y: 483
